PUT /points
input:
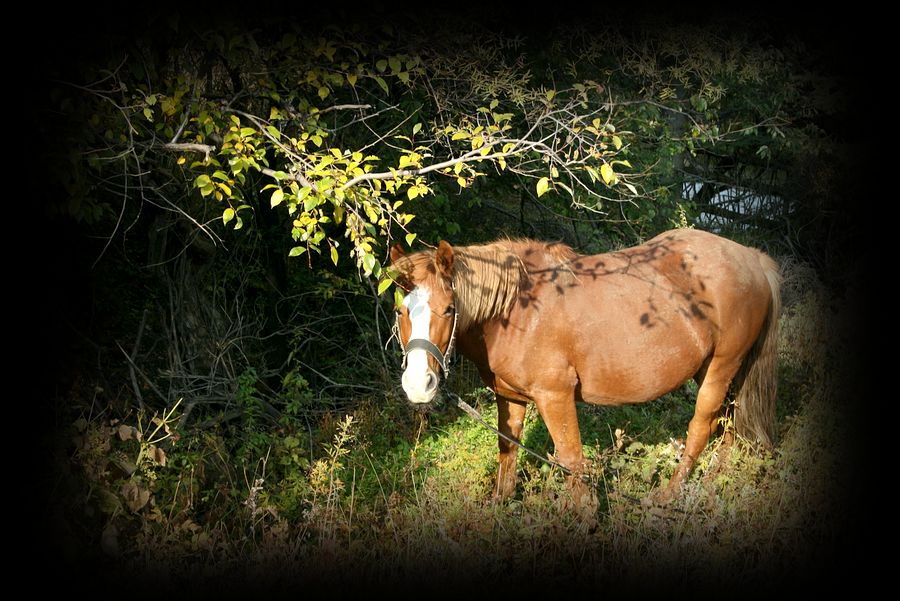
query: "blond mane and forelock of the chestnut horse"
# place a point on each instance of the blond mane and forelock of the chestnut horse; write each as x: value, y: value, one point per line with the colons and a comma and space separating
x: 488, y: 278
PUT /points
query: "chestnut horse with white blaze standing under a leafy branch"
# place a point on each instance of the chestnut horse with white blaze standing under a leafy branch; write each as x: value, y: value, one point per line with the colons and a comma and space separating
x: 545, y: 325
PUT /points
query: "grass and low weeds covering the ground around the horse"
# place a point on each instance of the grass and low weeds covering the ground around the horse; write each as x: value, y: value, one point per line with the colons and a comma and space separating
x: 384, y: 495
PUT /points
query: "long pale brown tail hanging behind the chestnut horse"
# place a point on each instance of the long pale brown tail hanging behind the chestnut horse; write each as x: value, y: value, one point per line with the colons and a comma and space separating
x: 757, y: 380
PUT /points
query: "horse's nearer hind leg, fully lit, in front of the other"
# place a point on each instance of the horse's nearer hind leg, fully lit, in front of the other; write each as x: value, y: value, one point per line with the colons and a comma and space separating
x: 710, y: 396
